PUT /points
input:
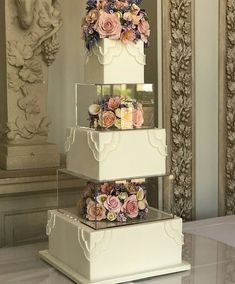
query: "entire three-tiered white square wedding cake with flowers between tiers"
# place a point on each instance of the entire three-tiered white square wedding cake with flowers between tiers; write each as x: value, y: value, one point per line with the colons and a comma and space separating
x: 112, y: 235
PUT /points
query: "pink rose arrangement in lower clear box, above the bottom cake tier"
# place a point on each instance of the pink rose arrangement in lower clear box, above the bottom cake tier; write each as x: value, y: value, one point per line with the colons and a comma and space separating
x: 114, y: 201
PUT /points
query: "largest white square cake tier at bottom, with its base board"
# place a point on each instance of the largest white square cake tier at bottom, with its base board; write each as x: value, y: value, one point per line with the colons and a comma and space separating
x: 134, y: 251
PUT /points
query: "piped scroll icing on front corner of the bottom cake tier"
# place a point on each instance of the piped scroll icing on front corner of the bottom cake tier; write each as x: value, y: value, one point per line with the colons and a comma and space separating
x: 100, y: 246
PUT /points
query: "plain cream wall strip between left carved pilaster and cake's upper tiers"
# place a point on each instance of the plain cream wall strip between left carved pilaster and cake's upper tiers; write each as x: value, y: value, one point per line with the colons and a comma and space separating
x: 66, y: 71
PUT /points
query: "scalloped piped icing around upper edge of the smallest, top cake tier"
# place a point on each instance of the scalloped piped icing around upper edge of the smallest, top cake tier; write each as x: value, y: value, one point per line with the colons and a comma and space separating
x: 116, y: 47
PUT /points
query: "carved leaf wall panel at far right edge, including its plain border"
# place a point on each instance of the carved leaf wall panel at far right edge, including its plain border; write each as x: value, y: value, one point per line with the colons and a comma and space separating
x: 227, y: 108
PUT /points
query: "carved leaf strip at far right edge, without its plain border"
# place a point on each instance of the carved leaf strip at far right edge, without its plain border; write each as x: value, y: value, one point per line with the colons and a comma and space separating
x: 230, y: 104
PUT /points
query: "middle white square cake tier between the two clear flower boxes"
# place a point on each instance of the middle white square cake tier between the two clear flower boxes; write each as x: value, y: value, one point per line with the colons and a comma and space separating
x: 112, y: 155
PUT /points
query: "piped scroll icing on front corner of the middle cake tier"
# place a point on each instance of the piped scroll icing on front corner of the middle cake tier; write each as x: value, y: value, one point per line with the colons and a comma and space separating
x: 101, y: 150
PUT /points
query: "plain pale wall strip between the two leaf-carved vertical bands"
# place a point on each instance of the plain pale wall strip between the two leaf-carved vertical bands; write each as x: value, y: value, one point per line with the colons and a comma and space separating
x: 206, y: 76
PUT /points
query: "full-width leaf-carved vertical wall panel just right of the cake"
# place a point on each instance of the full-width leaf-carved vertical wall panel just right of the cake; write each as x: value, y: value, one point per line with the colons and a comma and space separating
x: 178, y: 100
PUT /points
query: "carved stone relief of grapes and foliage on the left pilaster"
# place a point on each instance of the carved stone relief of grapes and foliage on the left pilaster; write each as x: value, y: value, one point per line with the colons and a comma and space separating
x: 28, y: 55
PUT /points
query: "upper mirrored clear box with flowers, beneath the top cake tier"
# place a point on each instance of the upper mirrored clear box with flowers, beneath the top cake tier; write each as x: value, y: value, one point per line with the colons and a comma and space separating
x: 115, y: 106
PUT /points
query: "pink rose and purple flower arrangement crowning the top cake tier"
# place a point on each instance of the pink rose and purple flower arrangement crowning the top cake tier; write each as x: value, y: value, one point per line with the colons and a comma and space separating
x: 115, y: 19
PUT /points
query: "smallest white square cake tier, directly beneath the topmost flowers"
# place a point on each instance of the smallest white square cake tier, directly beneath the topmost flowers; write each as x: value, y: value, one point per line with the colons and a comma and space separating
x: 112, y: 62
